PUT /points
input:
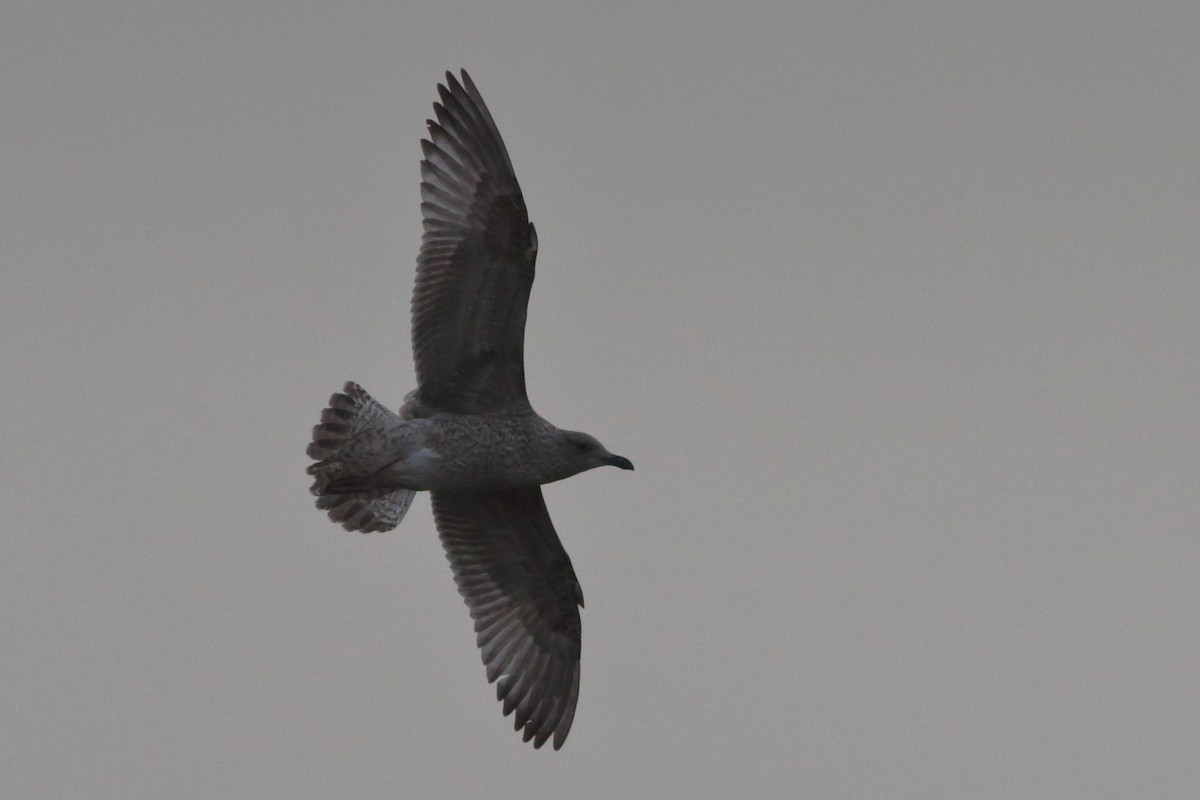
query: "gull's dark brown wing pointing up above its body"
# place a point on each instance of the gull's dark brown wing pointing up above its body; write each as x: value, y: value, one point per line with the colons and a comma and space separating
x: 477, y: 263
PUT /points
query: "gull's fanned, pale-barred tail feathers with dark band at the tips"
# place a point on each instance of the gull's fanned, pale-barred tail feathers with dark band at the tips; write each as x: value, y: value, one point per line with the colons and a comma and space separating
x: 333, y: 447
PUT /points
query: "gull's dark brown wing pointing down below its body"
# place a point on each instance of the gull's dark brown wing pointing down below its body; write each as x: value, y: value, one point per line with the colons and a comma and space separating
x: 525, y: 599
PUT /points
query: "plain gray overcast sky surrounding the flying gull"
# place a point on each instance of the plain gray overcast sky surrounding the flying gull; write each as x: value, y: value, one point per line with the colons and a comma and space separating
x: 896, y: 308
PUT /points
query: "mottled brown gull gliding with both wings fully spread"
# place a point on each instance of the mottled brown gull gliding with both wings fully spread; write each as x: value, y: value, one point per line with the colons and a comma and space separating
x: 467, y: 434
